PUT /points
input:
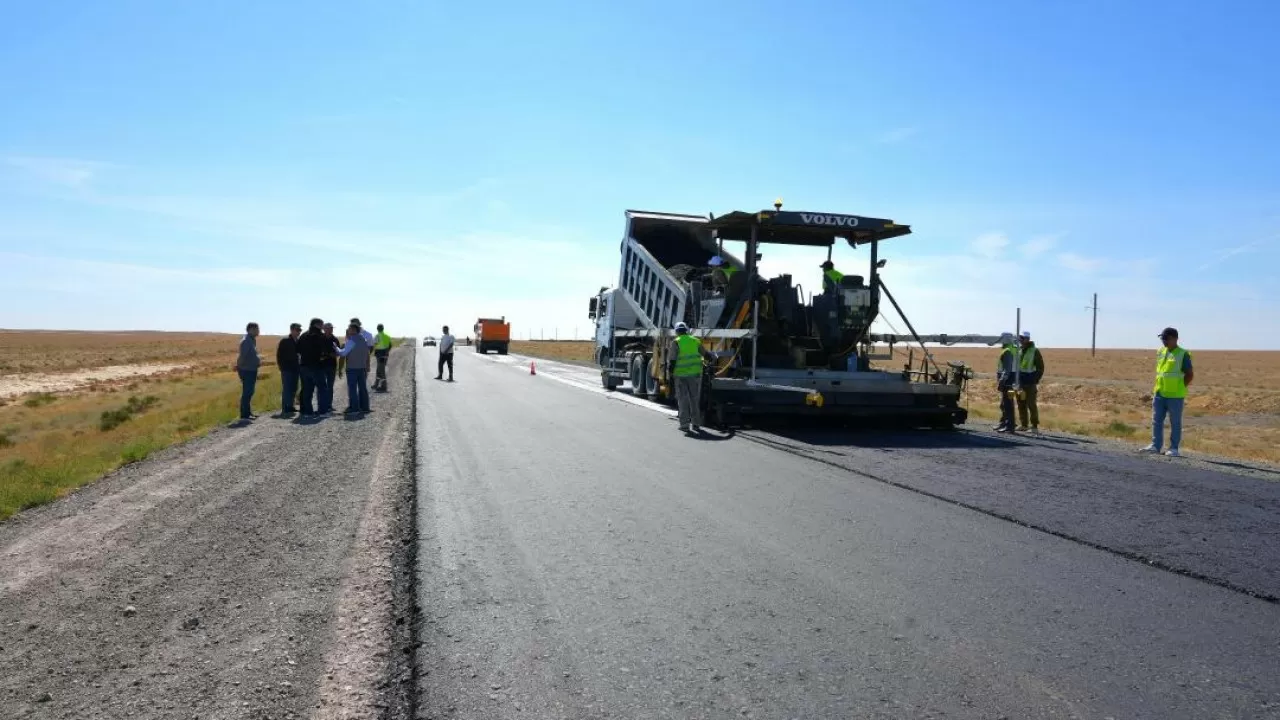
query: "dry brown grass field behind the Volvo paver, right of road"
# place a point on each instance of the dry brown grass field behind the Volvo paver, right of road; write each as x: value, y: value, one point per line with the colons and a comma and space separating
x: 1233, y: 411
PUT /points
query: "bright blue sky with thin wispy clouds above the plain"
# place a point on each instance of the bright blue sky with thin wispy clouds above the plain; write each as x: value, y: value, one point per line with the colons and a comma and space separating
x: 193, y: 166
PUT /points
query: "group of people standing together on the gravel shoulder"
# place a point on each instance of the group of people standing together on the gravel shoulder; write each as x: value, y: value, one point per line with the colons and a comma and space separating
x: 314, y: 361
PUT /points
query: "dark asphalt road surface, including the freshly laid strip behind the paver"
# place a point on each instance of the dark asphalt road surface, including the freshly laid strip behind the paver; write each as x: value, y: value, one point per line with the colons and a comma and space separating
x: 582, y: 559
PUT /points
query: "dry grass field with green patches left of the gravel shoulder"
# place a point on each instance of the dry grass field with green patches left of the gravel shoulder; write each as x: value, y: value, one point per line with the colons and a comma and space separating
x: 53, y: 443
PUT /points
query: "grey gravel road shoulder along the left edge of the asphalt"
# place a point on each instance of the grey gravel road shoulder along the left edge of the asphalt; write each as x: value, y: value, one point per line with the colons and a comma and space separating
x: 260, y: 572
